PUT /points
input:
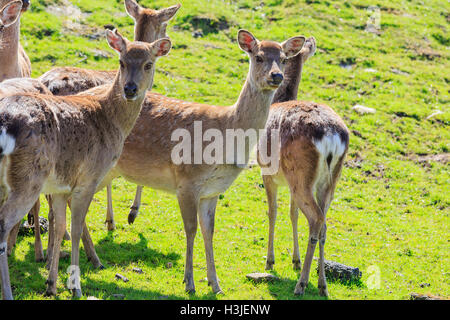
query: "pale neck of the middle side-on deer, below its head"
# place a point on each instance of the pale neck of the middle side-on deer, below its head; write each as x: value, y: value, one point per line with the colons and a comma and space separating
x: 252, y: 108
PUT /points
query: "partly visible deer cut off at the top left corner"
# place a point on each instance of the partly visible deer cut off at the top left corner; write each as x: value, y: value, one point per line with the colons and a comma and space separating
x: 13, y: 59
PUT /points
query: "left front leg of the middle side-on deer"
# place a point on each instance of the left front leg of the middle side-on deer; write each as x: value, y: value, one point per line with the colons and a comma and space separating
x: 188, y: 208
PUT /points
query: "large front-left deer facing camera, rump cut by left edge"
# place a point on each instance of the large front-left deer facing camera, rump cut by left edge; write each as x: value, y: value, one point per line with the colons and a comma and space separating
x: 64, y: 146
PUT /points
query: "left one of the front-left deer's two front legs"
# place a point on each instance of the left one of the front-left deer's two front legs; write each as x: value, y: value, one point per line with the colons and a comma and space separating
x: 59, y: 203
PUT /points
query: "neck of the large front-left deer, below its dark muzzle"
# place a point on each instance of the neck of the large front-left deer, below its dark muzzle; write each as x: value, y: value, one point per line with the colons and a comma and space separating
x: 123, y: 113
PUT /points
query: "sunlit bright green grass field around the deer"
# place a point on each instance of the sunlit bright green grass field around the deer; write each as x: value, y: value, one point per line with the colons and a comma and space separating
x: 391, y: 208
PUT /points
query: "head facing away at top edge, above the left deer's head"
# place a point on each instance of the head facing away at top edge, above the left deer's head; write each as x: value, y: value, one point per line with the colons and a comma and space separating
x: 150, y: 24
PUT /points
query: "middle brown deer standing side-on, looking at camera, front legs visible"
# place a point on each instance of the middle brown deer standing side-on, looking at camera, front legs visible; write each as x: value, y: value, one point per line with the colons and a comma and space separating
x: 147, y: 155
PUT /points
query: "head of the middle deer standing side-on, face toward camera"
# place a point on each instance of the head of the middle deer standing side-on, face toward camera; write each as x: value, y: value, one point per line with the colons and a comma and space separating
x: 268, y: 58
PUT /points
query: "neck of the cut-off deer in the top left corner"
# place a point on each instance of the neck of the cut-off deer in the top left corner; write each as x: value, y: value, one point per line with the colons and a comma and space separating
x: 9, y: 52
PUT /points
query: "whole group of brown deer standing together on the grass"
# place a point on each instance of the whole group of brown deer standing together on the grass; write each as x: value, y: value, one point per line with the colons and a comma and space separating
x: 70, y: 132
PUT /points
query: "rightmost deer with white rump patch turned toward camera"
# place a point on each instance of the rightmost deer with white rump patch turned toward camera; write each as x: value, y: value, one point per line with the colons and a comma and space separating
x: 314, y: 143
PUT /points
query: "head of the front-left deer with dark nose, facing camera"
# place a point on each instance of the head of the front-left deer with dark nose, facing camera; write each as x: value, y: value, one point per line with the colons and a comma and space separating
x: 137, y: 62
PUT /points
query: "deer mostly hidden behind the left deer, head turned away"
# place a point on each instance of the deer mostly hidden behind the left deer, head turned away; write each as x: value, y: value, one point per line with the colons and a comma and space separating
x: 150, y: 25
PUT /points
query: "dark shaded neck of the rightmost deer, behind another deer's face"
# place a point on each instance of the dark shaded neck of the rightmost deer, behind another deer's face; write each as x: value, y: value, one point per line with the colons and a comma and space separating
x: 289, y: 88
